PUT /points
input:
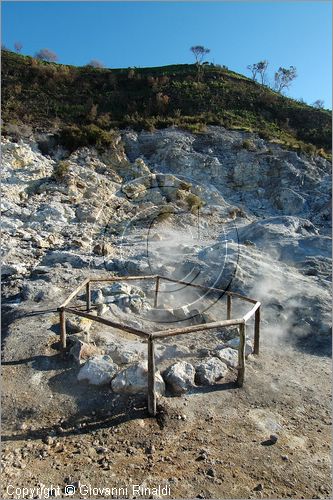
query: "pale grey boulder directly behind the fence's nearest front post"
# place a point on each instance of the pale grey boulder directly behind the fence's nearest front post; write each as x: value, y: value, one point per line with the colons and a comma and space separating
x: 134, y: 380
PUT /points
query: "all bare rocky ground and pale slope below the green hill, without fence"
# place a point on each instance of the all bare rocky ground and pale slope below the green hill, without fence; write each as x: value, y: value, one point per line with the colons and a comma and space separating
x: 221, y: 208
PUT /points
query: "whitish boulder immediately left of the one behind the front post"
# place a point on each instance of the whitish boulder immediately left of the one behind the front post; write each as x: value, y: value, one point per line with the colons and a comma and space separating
x: 98, y: 370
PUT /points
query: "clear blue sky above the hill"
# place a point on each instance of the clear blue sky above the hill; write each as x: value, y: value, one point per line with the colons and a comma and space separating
x: 124, y: 34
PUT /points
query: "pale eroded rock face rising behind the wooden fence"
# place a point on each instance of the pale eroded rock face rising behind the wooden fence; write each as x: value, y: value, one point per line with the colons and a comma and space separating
x: 166, y: 204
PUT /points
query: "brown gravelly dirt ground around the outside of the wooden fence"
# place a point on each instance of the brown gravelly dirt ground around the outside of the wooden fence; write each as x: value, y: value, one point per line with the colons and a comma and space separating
x: 211, y: 443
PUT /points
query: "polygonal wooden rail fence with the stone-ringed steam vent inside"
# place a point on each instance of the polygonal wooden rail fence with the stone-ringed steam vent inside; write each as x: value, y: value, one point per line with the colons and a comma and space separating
x: 156, y: 363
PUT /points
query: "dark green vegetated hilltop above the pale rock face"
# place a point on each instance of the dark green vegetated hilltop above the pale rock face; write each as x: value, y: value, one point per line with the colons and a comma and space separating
x: 49, y: 96
